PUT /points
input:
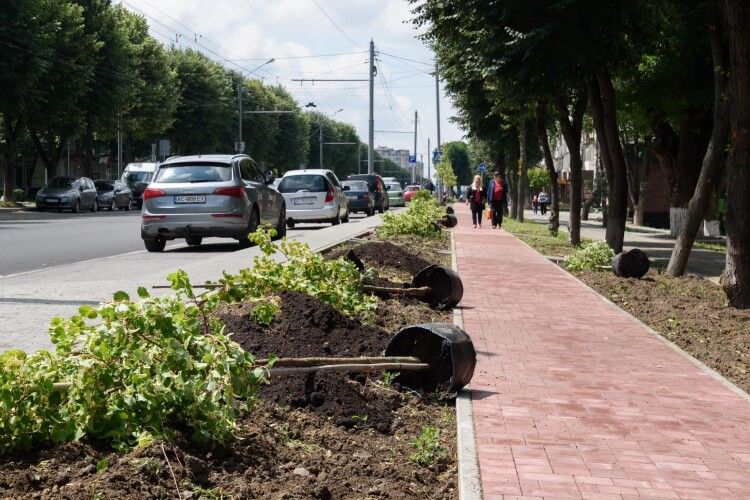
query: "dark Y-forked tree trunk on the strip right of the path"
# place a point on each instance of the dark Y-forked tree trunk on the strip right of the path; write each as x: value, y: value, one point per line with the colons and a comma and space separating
x: 571, y: 125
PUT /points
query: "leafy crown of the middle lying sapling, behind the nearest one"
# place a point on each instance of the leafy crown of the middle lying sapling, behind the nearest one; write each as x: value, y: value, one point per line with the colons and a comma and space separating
x: 337, y: 282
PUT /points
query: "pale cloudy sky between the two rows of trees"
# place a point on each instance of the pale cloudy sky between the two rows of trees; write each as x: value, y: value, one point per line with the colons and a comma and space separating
x: 319, y: 39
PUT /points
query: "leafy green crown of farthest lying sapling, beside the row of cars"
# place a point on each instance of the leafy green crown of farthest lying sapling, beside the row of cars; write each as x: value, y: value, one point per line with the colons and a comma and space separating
x: 418, y: 219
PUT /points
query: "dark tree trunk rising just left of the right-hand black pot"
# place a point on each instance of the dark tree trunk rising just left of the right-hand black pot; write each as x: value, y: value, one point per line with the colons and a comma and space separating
x: 603, y: 112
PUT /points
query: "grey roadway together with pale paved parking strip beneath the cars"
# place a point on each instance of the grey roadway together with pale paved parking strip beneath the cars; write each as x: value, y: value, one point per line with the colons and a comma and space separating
x: 52, y: 263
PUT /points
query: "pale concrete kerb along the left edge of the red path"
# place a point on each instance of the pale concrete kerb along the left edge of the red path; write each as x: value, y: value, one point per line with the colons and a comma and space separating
x: 469, y: 483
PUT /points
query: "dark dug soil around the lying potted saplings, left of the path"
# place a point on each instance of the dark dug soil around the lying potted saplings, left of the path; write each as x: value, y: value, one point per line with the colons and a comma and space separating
x: 331, y: 435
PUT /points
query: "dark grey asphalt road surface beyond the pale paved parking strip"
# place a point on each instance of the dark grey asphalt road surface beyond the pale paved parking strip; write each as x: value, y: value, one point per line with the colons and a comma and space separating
x: 32, y: 240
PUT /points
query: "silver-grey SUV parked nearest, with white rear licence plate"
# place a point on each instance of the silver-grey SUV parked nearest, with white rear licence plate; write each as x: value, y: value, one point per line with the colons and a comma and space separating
x: 193, y: 197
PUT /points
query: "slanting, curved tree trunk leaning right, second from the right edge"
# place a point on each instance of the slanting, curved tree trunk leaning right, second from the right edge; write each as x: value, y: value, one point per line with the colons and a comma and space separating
x: 711, y: 164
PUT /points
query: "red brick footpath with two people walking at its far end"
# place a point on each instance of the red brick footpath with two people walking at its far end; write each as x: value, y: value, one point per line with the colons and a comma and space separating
x: 573, y: 398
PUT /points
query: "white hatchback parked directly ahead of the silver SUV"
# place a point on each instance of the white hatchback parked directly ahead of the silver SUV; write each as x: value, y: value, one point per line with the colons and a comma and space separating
x: 313, y: 195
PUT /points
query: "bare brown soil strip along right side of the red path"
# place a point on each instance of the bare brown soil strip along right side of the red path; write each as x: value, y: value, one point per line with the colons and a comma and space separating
x: 691, y: 312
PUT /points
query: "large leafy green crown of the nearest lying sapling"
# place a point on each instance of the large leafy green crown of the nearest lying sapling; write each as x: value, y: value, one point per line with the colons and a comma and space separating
x: 149, y: 367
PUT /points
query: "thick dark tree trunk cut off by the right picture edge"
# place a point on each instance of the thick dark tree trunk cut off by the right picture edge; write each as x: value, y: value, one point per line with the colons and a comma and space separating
x: 736, y: 277
